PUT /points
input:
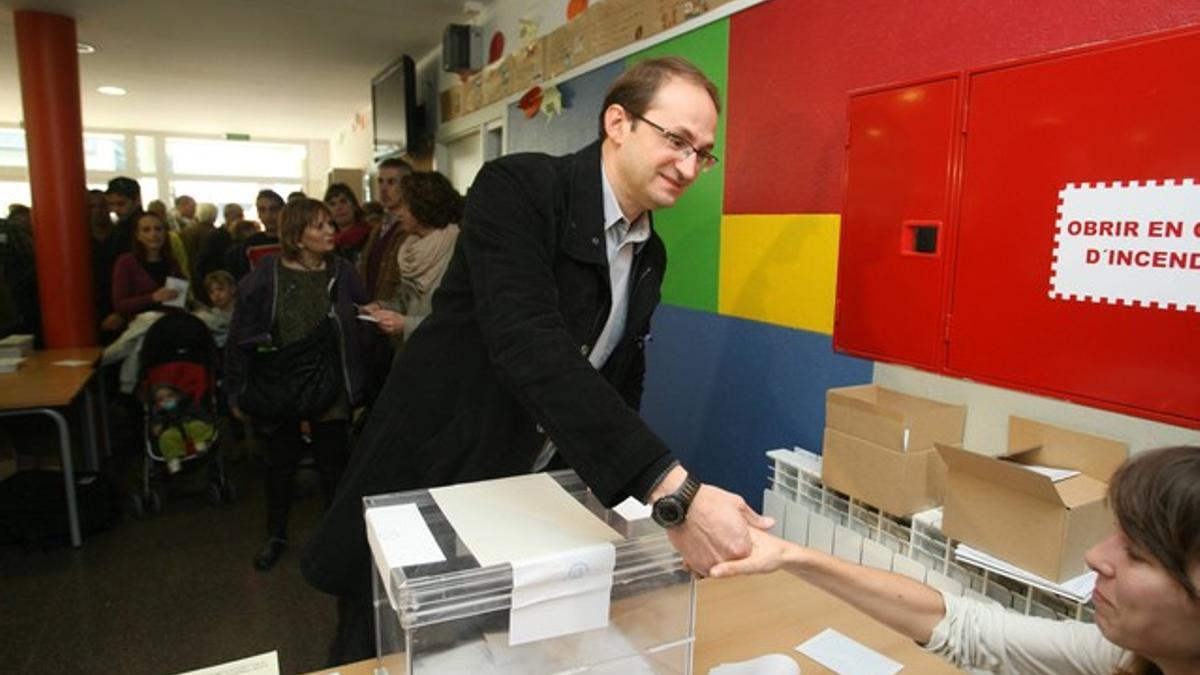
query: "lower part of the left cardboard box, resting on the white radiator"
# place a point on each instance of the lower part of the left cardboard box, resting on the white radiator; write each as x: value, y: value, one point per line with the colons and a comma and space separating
x: 899, y: 483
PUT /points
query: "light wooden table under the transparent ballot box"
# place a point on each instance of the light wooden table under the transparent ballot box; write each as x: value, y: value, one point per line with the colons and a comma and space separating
x: 745, y: 618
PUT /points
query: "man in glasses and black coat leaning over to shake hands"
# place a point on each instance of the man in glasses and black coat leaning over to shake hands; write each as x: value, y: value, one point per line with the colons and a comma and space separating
x: 533, y: 356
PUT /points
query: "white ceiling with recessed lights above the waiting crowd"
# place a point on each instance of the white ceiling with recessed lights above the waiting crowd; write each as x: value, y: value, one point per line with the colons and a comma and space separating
x: 273, y: 69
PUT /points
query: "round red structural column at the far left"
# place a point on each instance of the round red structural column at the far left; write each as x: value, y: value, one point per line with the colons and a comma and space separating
x: 50, y: 93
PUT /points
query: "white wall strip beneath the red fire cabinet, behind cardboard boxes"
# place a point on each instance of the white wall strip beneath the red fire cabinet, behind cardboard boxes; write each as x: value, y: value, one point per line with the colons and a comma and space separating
x: 988, y: 410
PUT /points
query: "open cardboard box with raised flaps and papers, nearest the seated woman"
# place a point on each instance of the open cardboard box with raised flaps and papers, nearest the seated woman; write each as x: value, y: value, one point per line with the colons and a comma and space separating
x: 1025, y: 518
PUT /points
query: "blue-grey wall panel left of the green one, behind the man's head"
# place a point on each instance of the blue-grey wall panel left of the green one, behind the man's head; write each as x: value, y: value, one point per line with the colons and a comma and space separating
x: 579, y: 124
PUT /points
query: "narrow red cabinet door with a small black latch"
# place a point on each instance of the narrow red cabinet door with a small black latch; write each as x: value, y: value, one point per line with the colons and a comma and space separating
x: 896, y: 223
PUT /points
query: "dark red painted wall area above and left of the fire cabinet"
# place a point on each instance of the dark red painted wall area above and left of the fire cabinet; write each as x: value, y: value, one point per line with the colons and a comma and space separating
x: 793, y: 64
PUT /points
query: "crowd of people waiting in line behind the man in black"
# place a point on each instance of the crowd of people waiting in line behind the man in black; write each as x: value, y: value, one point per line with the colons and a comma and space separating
x: 333, y: 283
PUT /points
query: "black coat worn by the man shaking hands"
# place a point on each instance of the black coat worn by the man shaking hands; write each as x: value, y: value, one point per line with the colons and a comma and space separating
x: 502, y: 363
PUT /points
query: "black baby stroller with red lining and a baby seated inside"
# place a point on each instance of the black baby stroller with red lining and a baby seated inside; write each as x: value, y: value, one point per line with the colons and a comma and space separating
x: 178, y: 391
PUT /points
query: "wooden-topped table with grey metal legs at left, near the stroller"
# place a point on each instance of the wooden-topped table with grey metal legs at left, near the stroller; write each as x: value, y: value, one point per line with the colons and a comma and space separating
x: 40, y: 387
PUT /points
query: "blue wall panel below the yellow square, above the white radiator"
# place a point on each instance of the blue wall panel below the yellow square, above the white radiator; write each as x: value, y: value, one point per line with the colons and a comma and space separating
x: 721, y: 391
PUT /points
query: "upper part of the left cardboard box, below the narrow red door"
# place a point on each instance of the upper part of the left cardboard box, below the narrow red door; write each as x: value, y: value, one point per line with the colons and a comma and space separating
x: 892, y: 420
